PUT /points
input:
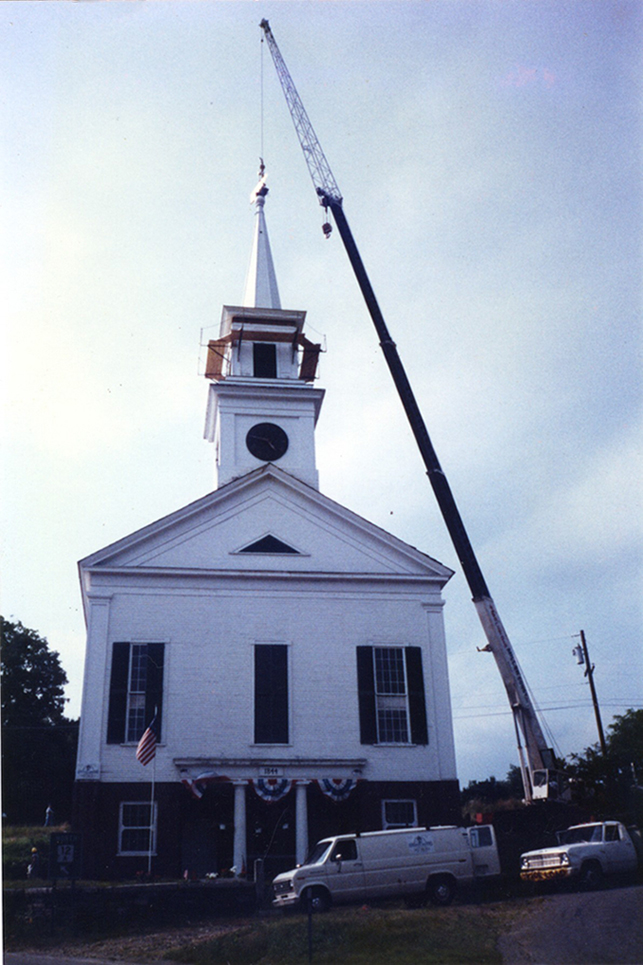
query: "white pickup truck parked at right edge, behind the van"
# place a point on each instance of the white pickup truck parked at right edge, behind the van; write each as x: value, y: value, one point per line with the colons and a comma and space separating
x: 585, y: 852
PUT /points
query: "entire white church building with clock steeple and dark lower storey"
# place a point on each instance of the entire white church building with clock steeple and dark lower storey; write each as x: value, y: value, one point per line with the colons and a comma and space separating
x: 292, y: 653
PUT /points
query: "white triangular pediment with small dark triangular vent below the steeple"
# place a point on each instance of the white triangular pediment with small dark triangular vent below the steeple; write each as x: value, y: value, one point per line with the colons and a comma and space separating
x: 266, y: 521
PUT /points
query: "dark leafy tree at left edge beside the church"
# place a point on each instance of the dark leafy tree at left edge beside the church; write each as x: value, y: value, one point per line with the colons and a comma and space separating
x: 38, y: 741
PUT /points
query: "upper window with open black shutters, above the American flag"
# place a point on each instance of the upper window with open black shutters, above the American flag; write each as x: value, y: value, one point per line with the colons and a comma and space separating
x: 135, y: 691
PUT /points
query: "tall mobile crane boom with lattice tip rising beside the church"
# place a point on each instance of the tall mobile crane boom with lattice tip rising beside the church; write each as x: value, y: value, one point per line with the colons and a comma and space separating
x: 537, y: 766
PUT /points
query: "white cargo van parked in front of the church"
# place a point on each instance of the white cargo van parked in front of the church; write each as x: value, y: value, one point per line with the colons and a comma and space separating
x: 413, y: 863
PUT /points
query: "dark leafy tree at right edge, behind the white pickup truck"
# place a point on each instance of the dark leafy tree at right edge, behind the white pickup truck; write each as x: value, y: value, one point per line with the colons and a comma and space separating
x: 612, y: 783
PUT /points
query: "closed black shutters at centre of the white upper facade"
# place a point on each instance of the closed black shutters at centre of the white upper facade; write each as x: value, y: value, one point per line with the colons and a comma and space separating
x: 271, y: 694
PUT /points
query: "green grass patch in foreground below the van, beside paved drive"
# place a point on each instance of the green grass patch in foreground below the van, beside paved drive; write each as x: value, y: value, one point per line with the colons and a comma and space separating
x: 361, y: 936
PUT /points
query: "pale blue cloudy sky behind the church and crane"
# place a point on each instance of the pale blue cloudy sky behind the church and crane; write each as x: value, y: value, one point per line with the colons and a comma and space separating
x: 489, y: 156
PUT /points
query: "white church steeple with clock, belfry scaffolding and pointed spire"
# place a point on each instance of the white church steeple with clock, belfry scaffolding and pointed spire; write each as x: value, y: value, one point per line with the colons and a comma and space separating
x: 262, y: 405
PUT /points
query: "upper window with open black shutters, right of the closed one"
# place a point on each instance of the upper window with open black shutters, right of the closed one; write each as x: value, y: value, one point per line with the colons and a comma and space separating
x: 392, y: 703
